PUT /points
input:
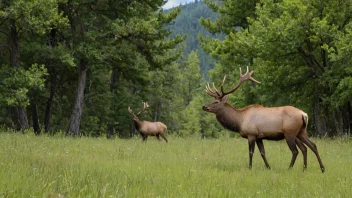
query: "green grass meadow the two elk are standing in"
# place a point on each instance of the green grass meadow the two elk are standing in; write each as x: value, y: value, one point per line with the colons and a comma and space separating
x: 87, y: 167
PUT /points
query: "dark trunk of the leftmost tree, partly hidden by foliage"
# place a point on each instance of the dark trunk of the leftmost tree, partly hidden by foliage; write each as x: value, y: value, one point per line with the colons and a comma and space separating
x: 20, y: 112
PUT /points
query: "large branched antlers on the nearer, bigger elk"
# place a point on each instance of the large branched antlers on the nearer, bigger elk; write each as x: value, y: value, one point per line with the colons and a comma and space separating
x: 217, y: 94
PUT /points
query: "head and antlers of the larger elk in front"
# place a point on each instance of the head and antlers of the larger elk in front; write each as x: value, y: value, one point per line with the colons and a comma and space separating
x: 221, y: 97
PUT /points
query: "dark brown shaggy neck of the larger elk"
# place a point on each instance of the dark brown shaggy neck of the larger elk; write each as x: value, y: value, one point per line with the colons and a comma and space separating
x: 230, y: 118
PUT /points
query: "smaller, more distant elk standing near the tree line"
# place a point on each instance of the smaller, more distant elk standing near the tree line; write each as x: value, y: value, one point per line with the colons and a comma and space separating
x: 146, y: 128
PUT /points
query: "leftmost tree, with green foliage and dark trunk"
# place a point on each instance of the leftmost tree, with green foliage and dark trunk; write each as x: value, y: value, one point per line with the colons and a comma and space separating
x: 20, y: 20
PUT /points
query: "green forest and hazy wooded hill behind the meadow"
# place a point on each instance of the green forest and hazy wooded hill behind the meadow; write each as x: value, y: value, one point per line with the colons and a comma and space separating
x: 75, y: 66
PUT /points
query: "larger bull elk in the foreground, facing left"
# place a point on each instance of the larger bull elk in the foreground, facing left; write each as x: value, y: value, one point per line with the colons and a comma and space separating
x: 257, y: 123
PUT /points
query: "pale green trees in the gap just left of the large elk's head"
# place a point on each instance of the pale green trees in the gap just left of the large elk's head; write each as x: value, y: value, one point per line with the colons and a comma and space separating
x: 193, y: 120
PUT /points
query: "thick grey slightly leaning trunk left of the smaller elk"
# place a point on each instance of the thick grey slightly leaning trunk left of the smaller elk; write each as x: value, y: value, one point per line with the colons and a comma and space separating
x: 76, y: 115
